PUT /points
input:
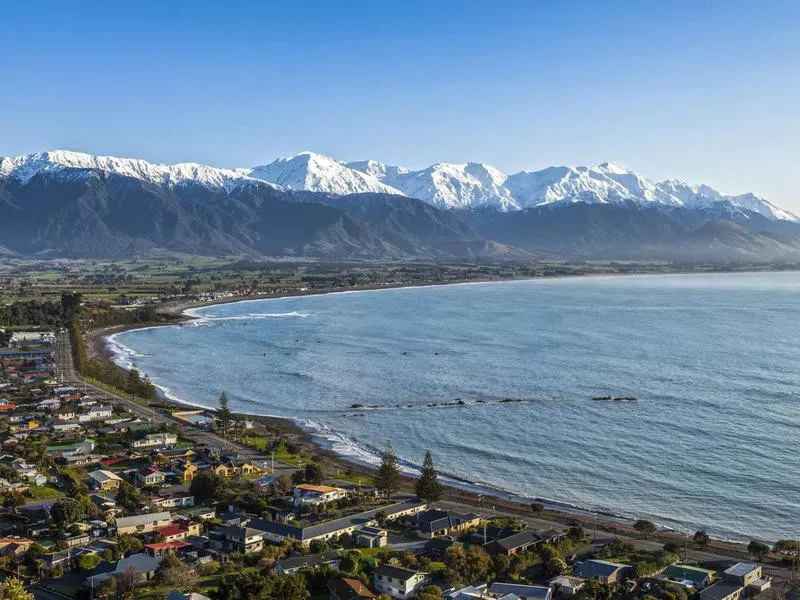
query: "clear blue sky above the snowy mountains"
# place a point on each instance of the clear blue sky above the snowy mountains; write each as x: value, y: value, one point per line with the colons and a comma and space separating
x: 703, y: 91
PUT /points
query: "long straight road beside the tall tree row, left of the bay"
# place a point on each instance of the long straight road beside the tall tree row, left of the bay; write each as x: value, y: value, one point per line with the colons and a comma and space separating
x: 69, y: 376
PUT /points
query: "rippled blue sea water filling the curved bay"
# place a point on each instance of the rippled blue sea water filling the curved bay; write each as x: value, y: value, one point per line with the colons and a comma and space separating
x: 499, y: 381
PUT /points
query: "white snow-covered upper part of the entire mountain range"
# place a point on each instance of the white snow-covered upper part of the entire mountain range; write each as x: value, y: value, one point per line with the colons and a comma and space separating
x: 443, y: 185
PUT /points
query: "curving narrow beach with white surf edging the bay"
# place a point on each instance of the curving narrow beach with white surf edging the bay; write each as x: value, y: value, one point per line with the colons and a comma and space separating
x: 319, y: 443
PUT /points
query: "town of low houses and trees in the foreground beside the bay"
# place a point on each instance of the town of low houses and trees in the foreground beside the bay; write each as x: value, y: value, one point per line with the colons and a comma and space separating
x: 107, y: 495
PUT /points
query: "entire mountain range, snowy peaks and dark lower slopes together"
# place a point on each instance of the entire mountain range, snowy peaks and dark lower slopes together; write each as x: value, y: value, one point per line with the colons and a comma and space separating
x: 64, y: 203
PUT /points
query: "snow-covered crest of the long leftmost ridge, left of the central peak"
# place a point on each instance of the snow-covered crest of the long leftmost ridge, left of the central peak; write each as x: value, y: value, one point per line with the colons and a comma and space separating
x: 63, y: 163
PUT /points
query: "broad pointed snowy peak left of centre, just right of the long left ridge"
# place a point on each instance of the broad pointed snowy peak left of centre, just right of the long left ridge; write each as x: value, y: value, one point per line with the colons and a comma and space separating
x: 317, y: 173
